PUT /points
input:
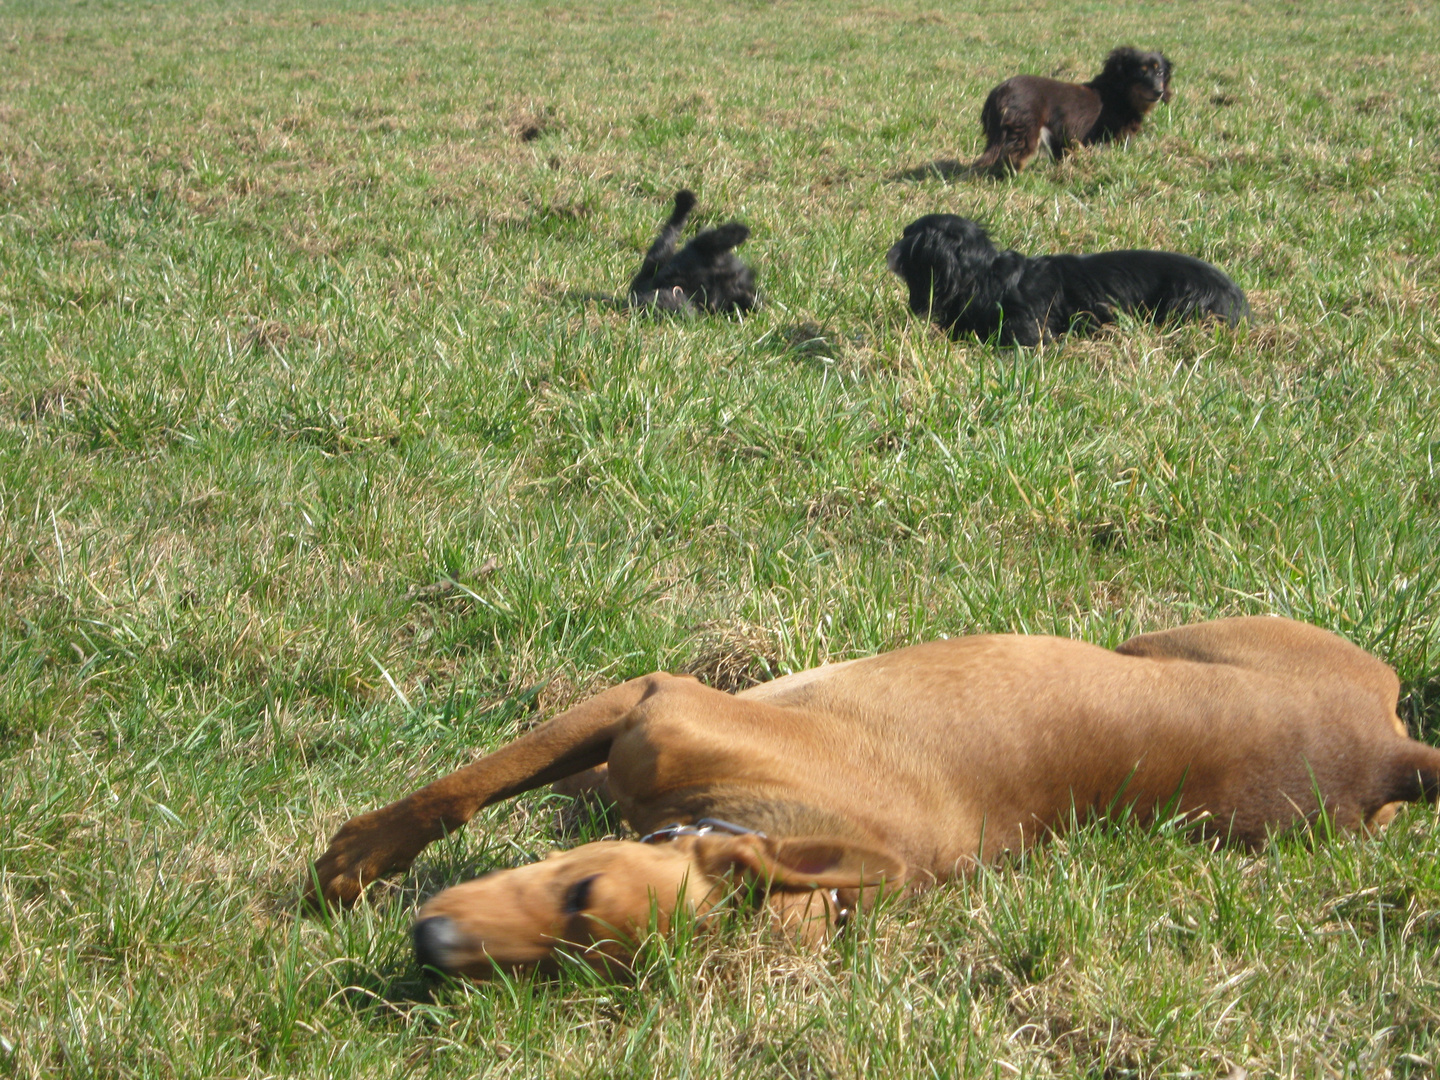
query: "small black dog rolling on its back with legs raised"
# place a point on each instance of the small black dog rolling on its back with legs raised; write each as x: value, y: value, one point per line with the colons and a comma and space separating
x: 706, y: 276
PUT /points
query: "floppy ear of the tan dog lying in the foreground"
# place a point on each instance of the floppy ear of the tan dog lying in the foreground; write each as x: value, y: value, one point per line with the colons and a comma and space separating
x: 801, y: 863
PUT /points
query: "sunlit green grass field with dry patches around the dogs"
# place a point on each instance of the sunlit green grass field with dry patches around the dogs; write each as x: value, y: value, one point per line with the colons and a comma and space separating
x: 293, y: 329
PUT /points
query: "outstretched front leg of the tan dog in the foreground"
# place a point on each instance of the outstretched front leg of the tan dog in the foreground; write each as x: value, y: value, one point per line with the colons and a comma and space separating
x: 388, y: 840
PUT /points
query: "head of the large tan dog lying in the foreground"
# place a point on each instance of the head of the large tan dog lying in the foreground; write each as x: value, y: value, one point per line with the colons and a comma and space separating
x: 598, y: 901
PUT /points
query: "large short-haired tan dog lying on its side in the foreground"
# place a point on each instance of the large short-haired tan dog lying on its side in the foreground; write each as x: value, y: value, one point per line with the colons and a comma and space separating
x: 901, y: 771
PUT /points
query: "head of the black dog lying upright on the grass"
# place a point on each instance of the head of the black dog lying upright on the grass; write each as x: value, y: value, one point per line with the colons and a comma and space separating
x: 942, y: 258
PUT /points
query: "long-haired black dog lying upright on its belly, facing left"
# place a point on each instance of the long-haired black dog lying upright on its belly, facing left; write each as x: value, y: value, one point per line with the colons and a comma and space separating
x: 967, y: 286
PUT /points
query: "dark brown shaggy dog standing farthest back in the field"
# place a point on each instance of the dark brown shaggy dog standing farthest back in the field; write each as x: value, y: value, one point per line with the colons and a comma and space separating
x: 1029, y: 112
